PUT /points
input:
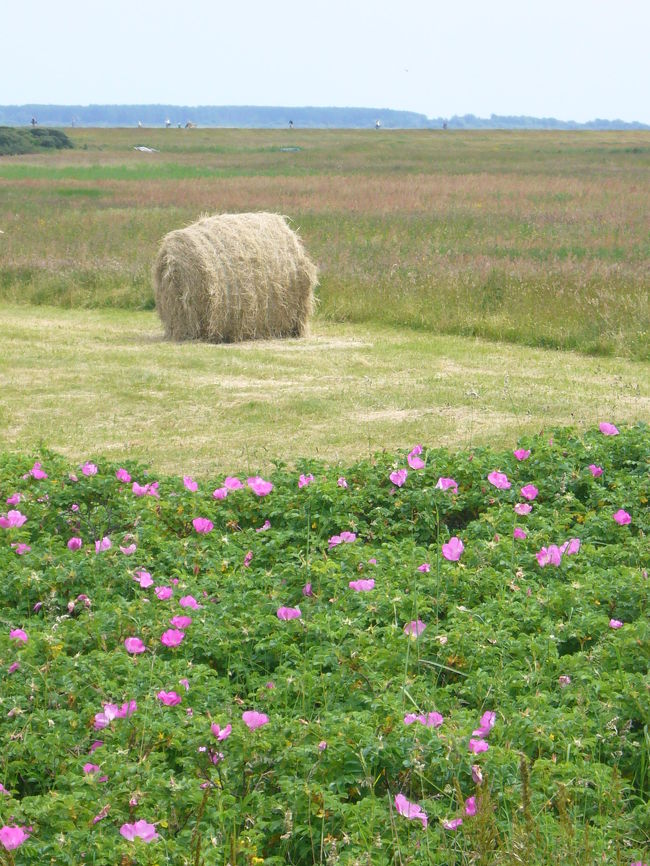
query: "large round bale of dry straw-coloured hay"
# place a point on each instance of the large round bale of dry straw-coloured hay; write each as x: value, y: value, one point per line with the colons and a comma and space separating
x: 234, y: 277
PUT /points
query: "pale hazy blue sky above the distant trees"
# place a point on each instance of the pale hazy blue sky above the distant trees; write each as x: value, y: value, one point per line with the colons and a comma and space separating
x: 570, y: 59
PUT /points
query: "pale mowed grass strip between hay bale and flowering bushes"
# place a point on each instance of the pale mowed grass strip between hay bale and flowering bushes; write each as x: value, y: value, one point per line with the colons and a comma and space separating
x: 105, y: 383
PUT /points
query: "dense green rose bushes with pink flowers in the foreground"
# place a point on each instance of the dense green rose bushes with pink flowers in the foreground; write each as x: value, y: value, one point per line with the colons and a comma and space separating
x: 559, y: 653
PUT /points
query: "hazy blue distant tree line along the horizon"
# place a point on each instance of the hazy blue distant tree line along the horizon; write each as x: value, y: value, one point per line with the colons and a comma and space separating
x: 277, y: 117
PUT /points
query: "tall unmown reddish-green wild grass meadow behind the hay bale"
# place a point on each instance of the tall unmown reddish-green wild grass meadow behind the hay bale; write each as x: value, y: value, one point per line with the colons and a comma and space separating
x: 533, y: 238
